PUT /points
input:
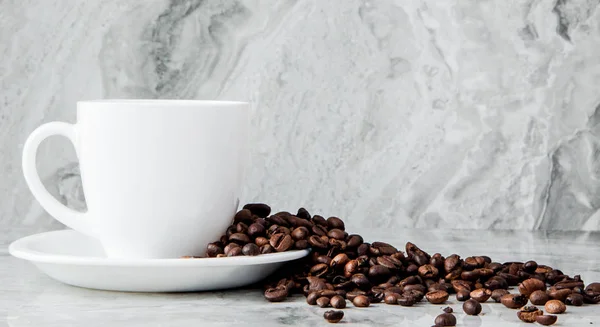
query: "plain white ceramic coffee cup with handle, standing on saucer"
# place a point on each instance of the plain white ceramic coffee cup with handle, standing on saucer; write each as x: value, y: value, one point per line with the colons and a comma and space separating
x: 161, y: 178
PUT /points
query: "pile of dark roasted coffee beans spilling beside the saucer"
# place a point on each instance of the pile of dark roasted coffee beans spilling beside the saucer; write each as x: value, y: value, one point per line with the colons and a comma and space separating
x: 344, y: 267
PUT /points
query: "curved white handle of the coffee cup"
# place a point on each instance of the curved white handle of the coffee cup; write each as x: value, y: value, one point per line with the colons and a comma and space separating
x: 72, y: 218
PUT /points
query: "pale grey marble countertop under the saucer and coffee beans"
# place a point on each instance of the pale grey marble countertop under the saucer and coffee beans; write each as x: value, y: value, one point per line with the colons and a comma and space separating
x: 29, y: 298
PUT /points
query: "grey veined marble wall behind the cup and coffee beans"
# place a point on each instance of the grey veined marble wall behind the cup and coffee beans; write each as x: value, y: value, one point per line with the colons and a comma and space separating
x: 390, y: 114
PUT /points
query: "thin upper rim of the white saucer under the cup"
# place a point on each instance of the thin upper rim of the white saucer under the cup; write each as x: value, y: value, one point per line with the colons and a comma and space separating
x: 20, y: 249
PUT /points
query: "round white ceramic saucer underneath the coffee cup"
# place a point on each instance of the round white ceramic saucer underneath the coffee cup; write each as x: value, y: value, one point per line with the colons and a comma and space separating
x: 73, y: 258
